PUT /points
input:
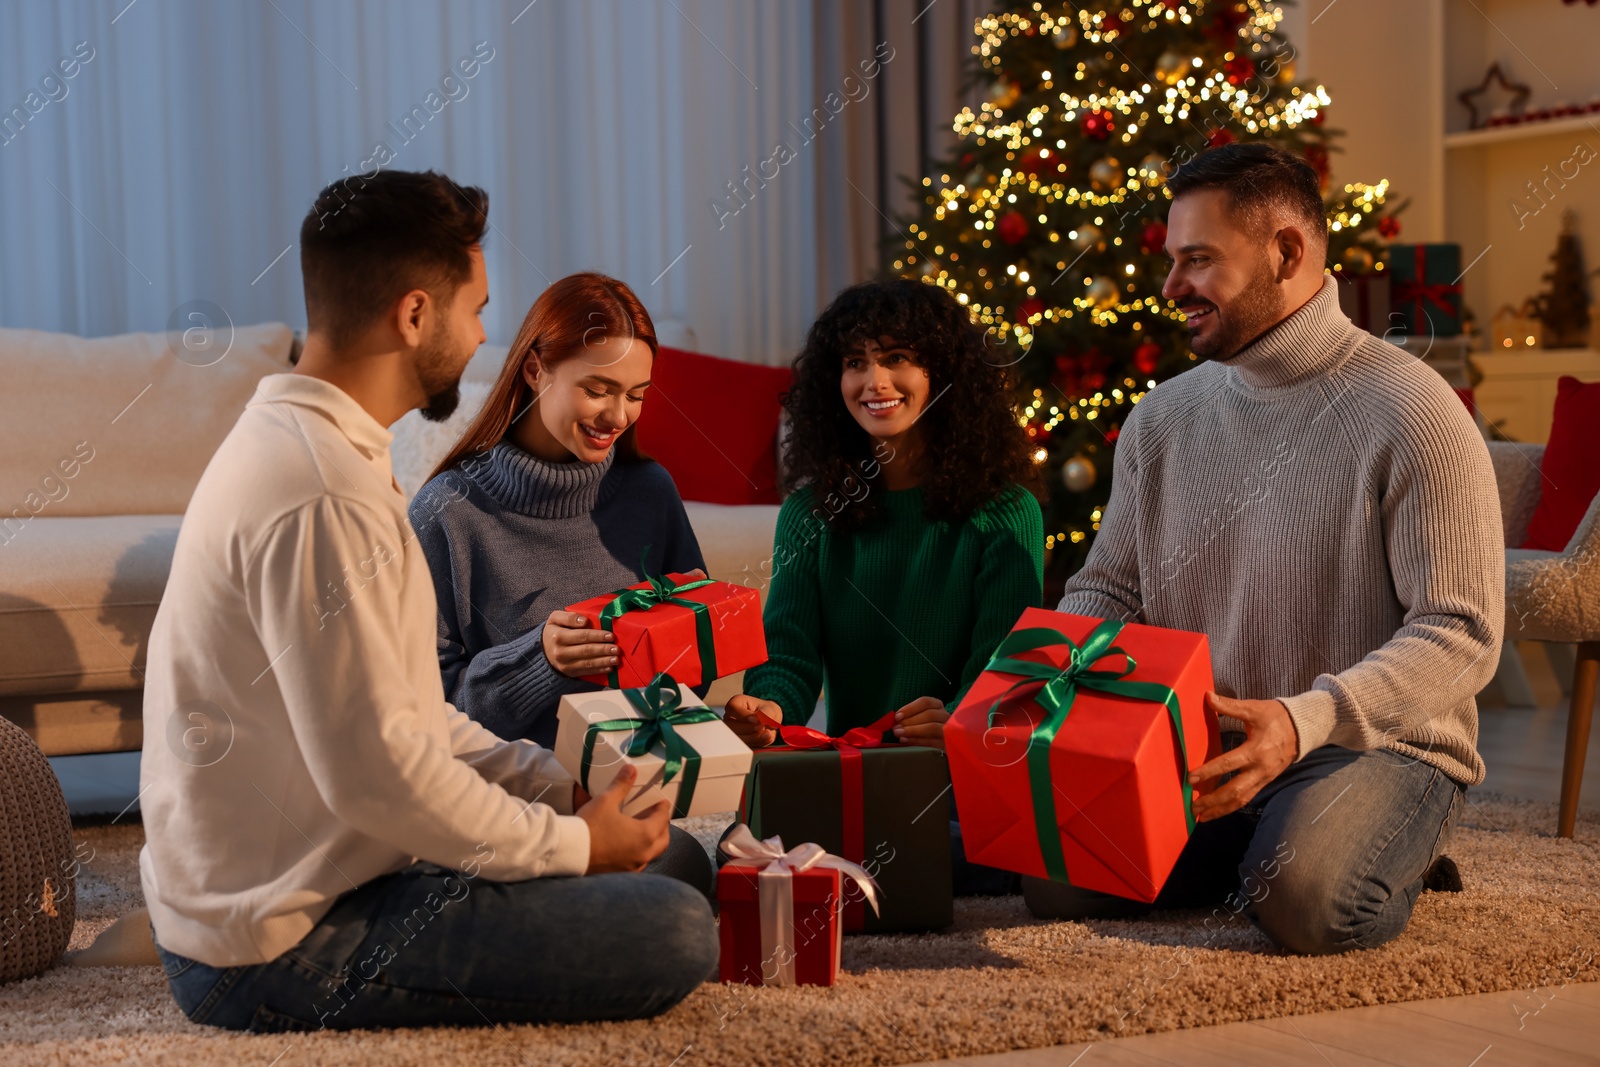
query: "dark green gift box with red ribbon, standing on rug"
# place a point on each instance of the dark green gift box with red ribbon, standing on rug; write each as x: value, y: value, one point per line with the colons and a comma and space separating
x: 876, y: 804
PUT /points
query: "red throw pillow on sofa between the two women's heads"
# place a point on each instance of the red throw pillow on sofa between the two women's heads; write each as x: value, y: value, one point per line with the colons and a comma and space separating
x: 714, y: 426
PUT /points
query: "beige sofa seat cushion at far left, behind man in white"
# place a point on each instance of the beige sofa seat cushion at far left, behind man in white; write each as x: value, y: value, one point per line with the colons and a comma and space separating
x: 78, y: 599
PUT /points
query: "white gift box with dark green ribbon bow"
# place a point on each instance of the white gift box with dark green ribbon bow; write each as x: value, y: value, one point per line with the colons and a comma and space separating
x: 684, y: 753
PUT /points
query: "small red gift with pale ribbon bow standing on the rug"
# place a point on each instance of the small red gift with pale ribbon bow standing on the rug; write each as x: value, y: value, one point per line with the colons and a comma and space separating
x: 782, y: 913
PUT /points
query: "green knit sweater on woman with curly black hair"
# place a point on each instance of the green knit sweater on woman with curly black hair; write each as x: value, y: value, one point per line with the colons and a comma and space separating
x: 905, y: 607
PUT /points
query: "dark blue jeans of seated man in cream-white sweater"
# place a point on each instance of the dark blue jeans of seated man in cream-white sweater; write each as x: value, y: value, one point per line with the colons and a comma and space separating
x: 428, y: 946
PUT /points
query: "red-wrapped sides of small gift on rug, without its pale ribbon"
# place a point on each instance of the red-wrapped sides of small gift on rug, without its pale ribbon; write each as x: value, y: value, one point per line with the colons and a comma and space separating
x: 817, y: 937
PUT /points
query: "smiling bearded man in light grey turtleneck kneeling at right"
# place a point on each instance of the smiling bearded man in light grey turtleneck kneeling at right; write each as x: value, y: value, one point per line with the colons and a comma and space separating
x: 1322, y: 508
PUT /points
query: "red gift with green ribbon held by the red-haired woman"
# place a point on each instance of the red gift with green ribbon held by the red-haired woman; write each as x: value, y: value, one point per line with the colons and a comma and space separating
x: 694, y: 629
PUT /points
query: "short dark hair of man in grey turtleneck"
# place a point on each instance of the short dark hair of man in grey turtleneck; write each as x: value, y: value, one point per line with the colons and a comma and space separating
x: 1263, y: 185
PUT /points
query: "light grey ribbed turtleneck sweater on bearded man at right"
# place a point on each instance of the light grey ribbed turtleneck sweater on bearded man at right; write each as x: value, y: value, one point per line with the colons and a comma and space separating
x: 1324, y: 510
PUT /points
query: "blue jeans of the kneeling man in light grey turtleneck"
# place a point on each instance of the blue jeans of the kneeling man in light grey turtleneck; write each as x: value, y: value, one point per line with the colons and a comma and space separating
x: 1327, y: 858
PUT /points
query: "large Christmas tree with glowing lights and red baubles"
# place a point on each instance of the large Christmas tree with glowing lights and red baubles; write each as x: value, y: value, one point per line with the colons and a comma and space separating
x: 1049, y: 220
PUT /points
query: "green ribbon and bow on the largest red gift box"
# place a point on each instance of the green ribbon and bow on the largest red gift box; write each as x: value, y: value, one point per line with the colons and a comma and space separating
x: 1058, y: 690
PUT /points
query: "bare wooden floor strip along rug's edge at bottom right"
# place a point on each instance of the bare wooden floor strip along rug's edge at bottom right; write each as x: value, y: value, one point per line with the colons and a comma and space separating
x: 1484, y: 1031
